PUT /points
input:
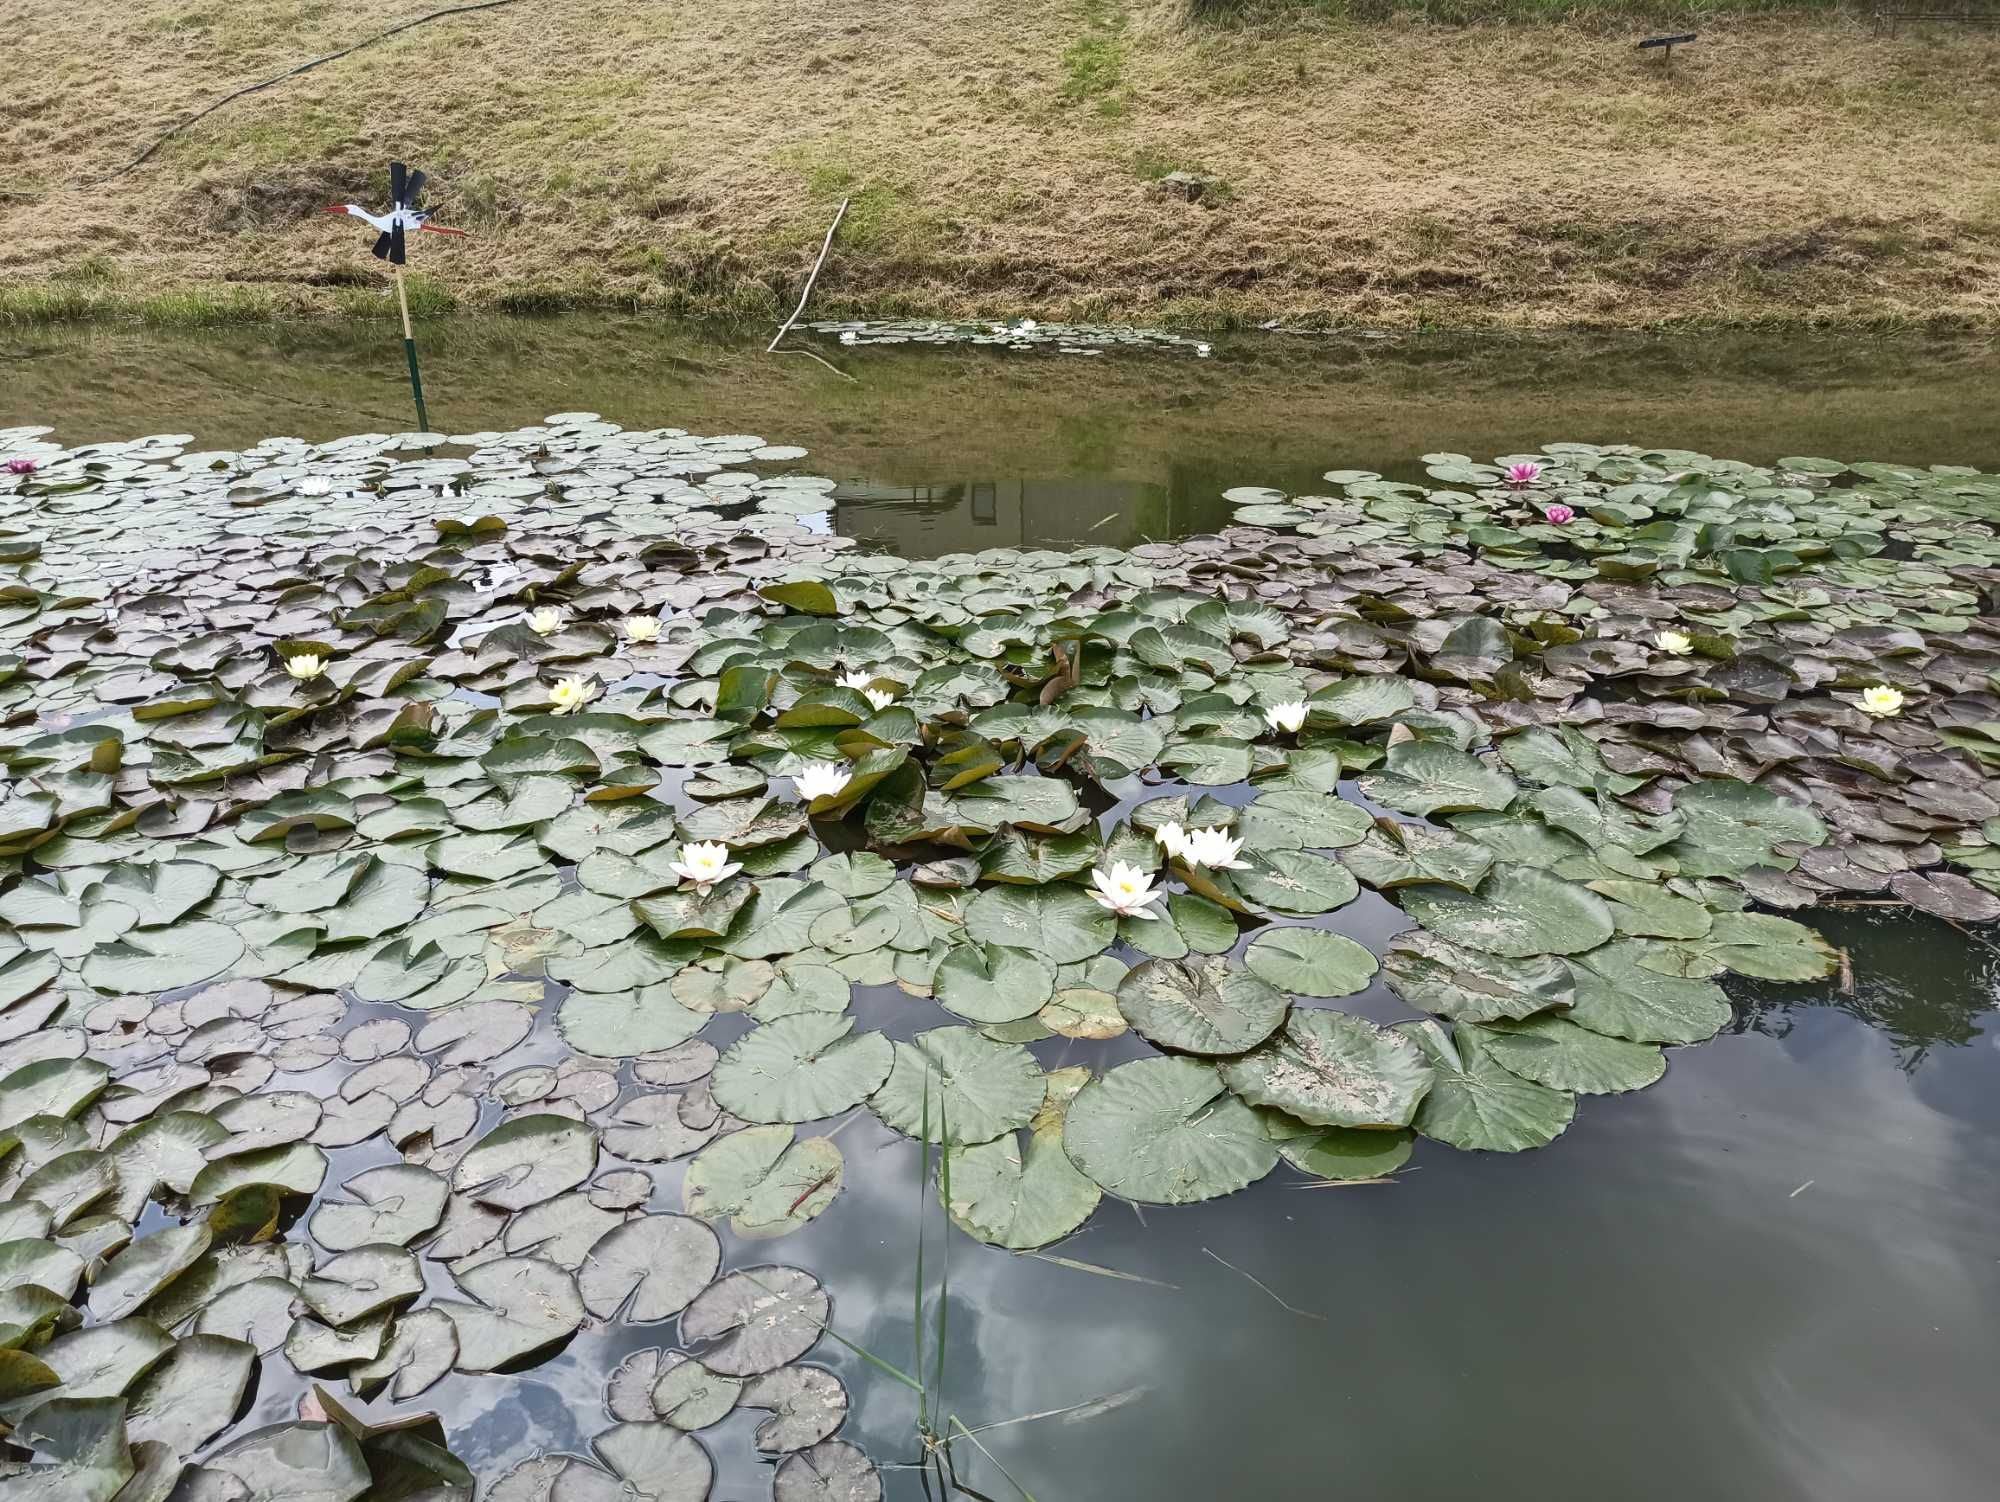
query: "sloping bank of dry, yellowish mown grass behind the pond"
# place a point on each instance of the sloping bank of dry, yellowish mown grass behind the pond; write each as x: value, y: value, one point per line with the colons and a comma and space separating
x: 1369, y: 165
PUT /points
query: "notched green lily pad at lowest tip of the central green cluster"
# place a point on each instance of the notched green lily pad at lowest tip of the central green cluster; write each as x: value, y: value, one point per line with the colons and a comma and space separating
x: 1021, y: 1195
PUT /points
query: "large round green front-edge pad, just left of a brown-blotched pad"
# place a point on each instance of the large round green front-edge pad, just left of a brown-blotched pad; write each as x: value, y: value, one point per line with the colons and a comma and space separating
x: 1167, y: 1131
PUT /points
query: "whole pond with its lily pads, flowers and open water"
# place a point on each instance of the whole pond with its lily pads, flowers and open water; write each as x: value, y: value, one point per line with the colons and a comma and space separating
x: 1695, y: 1025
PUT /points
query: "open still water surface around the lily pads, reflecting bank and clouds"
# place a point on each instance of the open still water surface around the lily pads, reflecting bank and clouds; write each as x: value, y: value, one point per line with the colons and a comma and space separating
x: 1775, y: 1275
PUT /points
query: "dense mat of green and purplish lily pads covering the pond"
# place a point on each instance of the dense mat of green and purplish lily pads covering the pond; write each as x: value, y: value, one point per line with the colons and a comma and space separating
x: 339, y: 773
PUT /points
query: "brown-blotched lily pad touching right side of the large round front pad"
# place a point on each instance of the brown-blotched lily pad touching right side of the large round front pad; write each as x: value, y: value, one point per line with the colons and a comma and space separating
x: 1329, y: 1069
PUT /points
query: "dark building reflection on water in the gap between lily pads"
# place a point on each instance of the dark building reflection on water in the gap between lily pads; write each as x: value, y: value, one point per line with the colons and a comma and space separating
x: 965, y: 517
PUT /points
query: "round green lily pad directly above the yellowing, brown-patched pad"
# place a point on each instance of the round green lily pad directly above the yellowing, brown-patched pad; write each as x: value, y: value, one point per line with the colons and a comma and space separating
x: 801, y: 1069
